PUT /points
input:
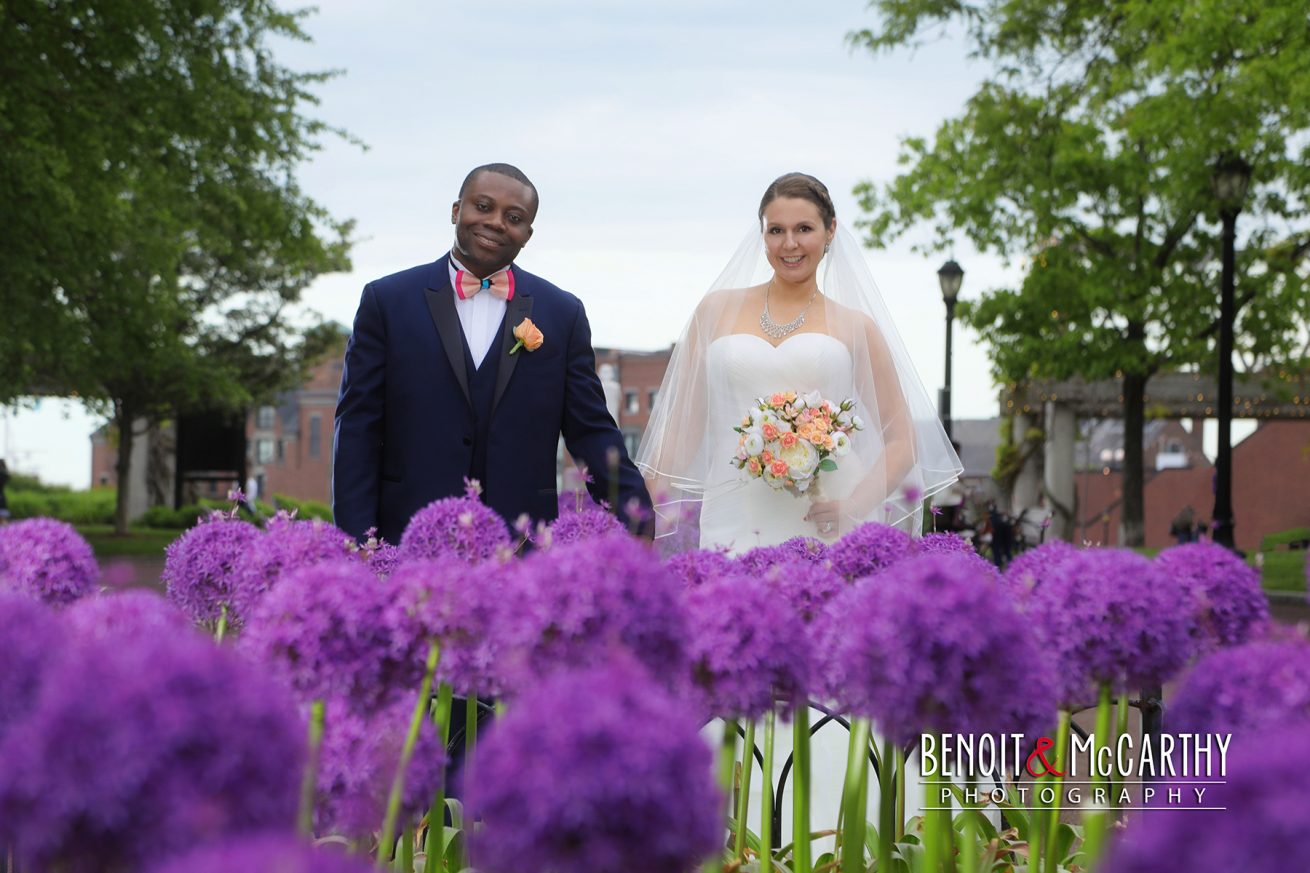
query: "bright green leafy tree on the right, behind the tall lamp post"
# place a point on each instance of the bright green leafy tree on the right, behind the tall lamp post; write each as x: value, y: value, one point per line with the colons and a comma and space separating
x: 1089, y: 153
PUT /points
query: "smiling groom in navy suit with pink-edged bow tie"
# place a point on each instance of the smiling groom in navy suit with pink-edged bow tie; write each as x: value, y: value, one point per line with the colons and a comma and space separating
x: 472, y: 368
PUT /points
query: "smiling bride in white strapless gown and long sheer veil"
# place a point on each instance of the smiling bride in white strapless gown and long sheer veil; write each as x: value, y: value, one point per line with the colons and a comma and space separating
x: 795, y: 311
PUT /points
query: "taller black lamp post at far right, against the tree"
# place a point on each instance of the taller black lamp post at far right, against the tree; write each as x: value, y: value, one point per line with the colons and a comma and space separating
x: 1231, y: 180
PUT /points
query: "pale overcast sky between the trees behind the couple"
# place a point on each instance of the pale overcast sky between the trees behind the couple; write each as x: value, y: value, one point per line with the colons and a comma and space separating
x: 650, y: 132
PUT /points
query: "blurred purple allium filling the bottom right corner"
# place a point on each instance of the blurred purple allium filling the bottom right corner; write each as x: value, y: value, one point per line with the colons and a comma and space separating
x: 1262, y: 829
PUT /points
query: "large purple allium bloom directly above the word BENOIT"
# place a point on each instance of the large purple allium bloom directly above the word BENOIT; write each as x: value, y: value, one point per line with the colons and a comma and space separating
x: 929, y: 646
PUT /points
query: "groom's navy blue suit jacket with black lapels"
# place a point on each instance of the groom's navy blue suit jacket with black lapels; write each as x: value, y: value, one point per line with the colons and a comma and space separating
x: 404, y: 419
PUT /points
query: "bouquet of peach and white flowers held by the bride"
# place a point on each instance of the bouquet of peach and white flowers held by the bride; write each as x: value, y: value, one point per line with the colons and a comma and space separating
x: 788, y: 440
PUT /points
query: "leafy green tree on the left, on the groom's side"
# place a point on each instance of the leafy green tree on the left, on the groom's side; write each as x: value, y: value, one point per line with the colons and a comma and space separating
x: 151, y: 150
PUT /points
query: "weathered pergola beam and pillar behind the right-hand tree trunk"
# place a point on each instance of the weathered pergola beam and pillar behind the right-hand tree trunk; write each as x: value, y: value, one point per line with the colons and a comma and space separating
x: 1057, y: 407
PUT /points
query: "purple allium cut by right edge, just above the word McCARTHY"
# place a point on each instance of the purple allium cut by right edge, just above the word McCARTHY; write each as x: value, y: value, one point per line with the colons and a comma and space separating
x: 1246, y: 688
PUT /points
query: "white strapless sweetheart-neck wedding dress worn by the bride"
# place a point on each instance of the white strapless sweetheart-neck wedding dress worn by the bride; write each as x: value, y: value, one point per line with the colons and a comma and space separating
x: 742, y: 368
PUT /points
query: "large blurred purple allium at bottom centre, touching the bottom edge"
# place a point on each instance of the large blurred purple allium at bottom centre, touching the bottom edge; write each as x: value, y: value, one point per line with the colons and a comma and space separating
x: 595, y: 770
